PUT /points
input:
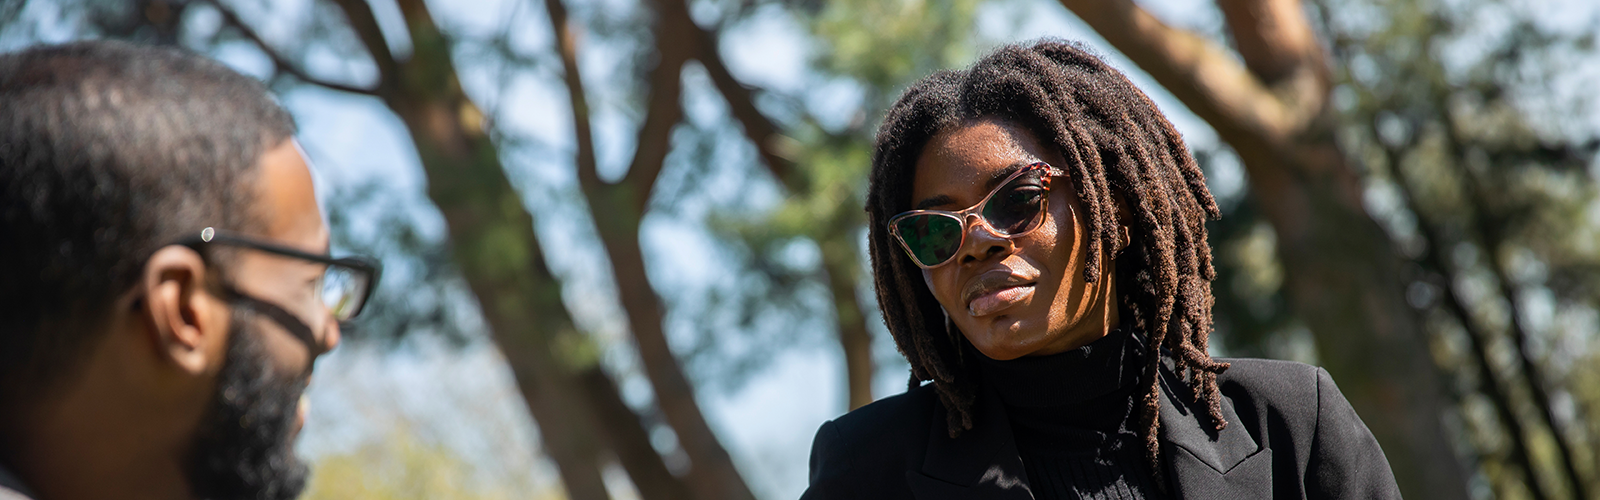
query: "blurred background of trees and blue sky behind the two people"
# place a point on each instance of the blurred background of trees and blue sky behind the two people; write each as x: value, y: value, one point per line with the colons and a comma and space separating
x: 631, y: 209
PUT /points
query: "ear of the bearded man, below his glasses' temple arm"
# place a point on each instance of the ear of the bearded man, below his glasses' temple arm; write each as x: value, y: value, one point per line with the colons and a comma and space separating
x: 186, y: 325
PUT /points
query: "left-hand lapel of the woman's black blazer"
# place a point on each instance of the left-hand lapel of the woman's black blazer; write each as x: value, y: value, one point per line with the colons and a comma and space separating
x: 982, y: 464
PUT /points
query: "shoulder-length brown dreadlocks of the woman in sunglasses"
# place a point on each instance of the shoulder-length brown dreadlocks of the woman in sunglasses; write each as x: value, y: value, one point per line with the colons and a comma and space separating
x: 1118, y: 145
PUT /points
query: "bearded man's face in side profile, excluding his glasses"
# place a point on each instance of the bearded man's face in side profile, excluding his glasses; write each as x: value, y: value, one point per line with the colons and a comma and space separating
x: 244, y: 448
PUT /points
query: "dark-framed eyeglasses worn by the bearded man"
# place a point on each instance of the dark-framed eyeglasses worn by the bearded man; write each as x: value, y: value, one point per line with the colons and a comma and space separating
x: 345, y: 288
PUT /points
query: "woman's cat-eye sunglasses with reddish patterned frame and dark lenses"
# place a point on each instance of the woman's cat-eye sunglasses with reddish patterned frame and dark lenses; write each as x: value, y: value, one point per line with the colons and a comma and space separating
x: 932, y: 238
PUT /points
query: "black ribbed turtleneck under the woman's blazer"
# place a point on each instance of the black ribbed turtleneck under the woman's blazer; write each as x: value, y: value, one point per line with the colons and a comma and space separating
x: 1074, y: 417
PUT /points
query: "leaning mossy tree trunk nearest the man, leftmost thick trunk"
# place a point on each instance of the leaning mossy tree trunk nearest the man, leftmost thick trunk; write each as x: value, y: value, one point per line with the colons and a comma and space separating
x: 492, y: 240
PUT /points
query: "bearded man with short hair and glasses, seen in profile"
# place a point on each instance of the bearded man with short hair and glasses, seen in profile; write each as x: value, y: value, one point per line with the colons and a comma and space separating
x: 164, y: 280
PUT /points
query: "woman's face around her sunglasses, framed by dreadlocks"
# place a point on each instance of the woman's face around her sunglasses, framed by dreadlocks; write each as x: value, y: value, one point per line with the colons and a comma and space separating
x: 1023, y: 296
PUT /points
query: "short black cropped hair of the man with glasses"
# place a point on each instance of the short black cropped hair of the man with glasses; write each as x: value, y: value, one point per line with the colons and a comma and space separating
x: 108, y: 153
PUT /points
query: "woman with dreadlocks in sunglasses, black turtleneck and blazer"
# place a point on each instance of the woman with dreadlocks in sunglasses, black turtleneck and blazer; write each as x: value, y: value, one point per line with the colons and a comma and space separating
x: 1039, y: 248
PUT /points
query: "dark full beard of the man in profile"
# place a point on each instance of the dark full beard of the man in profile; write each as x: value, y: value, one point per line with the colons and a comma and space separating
x: 246, y: 448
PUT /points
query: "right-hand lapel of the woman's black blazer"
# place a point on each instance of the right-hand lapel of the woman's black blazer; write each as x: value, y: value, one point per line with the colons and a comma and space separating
x: 1206, y: 464
